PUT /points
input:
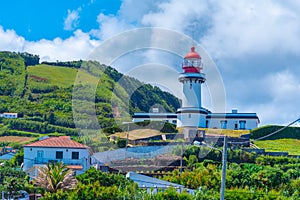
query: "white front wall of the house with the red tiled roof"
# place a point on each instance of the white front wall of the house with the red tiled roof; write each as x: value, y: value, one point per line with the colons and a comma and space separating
x: 30, y: 155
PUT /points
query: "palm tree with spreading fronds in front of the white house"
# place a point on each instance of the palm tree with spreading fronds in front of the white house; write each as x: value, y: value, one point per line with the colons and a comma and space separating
x: 55, y: 176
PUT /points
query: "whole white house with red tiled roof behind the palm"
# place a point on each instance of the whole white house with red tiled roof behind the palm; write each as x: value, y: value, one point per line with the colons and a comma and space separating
x: 57, y: 149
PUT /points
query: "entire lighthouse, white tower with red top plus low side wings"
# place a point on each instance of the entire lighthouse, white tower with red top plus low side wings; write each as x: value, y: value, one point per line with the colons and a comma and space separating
x: 192, y: 114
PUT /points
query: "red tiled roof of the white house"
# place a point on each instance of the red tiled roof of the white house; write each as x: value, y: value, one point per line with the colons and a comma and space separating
x: 62, y: 141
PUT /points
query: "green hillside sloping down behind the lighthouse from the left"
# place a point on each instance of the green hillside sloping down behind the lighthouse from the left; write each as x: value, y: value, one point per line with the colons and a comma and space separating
x: 45, y: 95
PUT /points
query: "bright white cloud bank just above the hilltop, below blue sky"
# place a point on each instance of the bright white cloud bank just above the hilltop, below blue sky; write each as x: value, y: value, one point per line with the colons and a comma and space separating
x: 78, y: 46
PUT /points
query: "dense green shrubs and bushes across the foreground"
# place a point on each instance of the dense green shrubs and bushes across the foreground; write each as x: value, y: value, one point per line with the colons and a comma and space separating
x: 265, y: 178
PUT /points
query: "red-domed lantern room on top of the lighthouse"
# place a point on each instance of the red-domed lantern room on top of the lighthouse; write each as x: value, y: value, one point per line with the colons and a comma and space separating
x: 192, y: 62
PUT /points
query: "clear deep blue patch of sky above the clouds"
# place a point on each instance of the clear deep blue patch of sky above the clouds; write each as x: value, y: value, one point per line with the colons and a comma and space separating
x: 35, y: 20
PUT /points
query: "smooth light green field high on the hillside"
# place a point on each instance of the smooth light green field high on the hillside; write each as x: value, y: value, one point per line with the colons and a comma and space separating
x: 59, y: 76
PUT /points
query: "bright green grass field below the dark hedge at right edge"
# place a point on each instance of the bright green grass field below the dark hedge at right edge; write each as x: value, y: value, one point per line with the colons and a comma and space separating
x: 288, y: 145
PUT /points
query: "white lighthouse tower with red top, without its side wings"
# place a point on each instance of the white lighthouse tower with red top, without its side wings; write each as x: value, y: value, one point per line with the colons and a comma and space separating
x: 191, y: 114
